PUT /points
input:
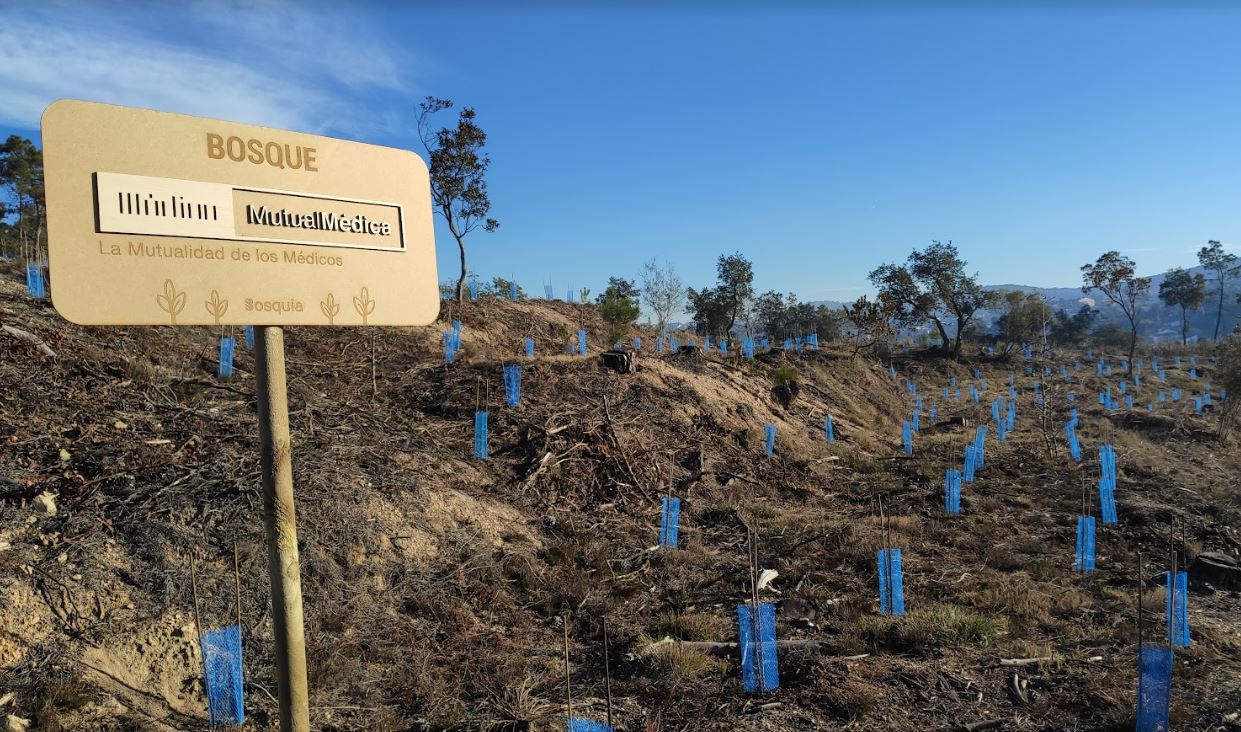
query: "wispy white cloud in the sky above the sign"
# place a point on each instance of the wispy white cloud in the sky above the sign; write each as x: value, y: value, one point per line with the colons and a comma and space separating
x: 267, y: 64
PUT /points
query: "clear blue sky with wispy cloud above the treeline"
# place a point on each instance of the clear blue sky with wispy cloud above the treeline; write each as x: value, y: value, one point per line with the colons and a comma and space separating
x: 820, y: 143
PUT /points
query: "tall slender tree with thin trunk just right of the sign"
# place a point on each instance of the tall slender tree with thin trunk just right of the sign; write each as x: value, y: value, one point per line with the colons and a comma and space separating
x: 459, y: 176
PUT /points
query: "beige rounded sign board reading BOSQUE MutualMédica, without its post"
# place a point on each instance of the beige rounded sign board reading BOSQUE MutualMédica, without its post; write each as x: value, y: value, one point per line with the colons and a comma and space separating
x: 158, y: 219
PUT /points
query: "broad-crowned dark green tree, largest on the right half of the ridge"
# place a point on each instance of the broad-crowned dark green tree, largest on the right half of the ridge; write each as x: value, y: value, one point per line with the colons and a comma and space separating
x: 933, y: 286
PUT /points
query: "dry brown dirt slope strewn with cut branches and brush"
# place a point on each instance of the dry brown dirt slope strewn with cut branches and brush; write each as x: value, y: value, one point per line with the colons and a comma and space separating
x: 435, y: 584
